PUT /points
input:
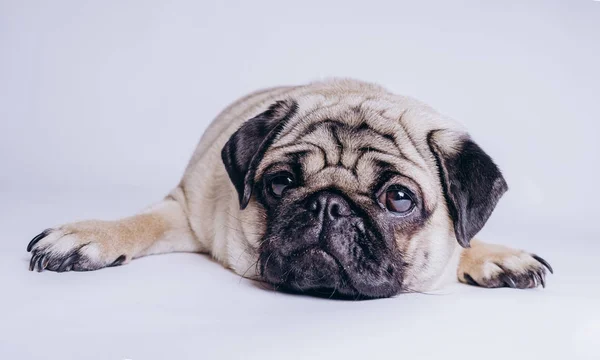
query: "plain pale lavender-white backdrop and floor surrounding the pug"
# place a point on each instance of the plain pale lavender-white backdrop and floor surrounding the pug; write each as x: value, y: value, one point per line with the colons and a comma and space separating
x: 103, y: 102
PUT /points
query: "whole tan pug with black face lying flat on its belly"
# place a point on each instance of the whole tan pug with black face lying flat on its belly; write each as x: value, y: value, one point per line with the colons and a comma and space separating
x: 334, y: 187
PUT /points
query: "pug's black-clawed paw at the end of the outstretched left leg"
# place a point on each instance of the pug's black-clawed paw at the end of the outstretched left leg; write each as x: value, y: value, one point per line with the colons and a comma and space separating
x: 78, y: 247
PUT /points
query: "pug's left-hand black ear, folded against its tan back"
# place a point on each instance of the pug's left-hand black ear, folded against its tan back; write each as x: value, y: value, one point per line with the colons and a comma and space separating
x: 246, y: 147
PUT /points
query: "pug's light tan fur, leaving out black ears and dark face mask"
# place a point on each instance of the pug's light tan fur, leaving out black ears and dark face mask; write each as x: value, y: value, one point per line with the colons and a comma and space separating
x: 202, y: 214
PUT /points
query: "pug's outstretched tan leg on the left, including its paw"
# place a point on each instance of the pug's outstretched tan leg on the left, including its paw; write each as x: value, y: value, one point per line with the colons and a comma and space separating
x: 94, y: 244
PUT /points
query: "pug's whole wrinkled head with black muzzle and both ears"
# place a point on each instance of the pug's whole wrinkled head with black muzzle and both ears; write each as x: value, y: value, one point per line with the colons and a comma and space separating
x: 357, y: 198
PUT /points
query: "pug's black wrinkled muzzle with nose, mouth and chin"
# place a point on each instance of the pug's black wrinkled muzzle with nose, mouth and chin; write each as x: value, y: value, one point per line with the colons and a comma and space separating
x: 326, y: 243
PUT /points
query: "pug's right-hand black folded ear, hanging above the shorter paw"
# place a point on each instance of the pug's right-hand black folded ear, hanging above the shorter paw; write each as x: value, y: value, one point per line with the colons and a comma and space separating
x: 472, y: 183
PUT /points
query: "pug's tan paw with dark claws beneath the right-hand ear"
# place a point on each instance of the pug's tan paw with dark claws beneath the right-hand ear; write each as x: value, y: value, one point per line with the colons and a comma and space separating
x: 495, y: 266
